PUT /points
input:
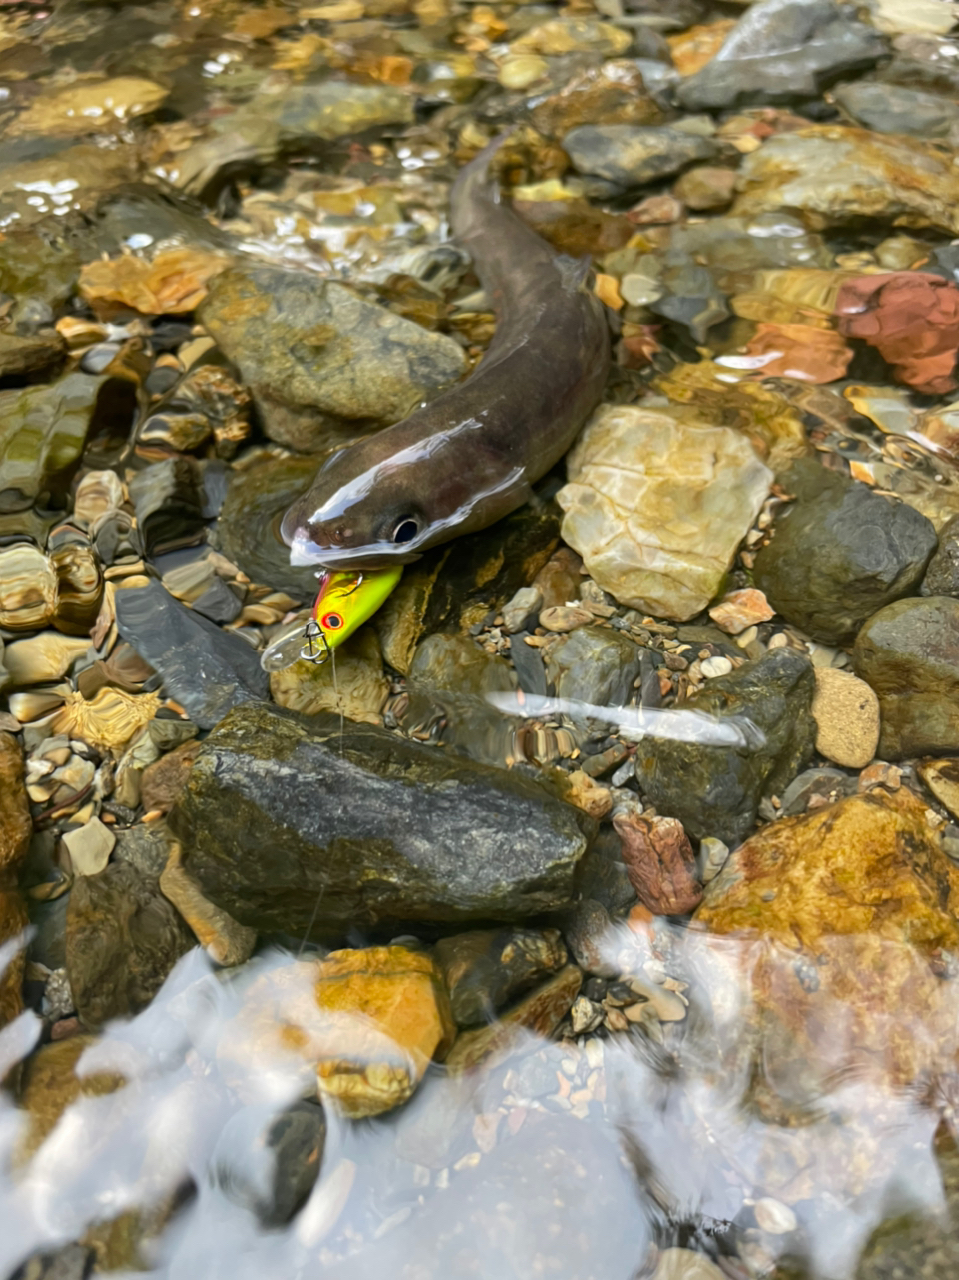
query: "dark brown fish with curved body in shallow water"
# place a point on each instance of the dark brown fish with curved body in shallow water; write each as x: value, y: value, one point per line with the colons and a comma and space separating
x: 472, y: 456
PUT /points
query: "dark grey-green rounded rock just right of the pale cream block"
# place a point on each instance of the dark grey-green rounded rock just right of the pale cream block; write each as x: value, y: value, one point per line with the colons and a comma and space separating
x: 841, y: 555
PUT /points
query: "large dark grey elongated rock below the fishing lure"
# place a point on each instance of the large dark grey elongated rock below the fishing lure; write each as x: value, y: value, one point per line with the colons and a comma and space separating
x: 314, y: 826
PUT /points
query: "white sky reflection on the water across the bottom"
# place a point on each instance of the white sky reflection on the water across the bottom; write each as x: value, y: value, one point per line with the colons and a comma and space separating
x: 753, y: 1128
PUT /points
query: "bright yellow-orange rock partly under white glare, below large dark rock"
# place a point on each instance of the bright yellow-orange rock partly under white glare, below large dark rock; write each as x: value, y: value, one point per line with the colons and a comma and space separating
x: 359, y: 1028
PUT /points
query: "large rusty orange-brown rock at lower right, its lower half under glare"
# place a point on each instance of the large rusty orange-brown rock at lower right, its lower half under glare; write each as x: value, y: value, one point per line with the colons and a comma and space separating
x: 856, y: 906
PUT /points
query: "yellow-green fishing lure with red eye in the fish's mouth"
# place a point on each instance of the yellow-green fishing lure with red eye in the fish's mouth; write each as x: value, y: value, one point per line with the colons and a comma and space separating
x: 345, y: 601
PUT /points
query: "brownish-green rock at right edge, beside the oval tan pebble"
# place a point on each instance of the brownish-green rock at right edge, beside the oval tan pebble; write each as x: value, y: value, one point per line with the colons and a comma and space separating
x: 910, y: 655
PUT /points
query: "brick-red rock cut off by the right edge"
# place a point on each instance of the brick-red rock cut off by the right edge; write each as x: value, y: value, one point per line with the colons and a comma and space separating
x: 912, y: 319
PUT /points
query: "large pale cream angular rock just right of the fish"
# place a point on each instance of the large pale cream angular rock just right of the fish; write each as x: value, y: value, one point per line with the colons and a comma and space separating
x: 657, y: 508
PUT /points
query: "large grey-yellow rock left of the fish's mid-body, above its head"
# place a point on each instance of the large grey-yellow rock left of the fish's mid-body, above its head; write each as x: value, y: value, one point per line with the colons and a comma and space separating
x: 319, y: 359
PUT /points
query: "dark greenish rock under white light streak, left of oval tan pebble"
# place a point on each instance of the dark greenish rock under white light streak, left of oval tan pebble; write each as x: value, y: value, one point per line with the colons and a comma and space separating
x: 716, y: 790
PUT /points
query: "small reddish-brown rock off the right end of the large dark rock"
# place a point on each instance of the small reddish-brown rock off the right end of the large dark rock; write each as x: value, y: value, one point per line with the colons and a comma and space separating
x: 660, y: 862
